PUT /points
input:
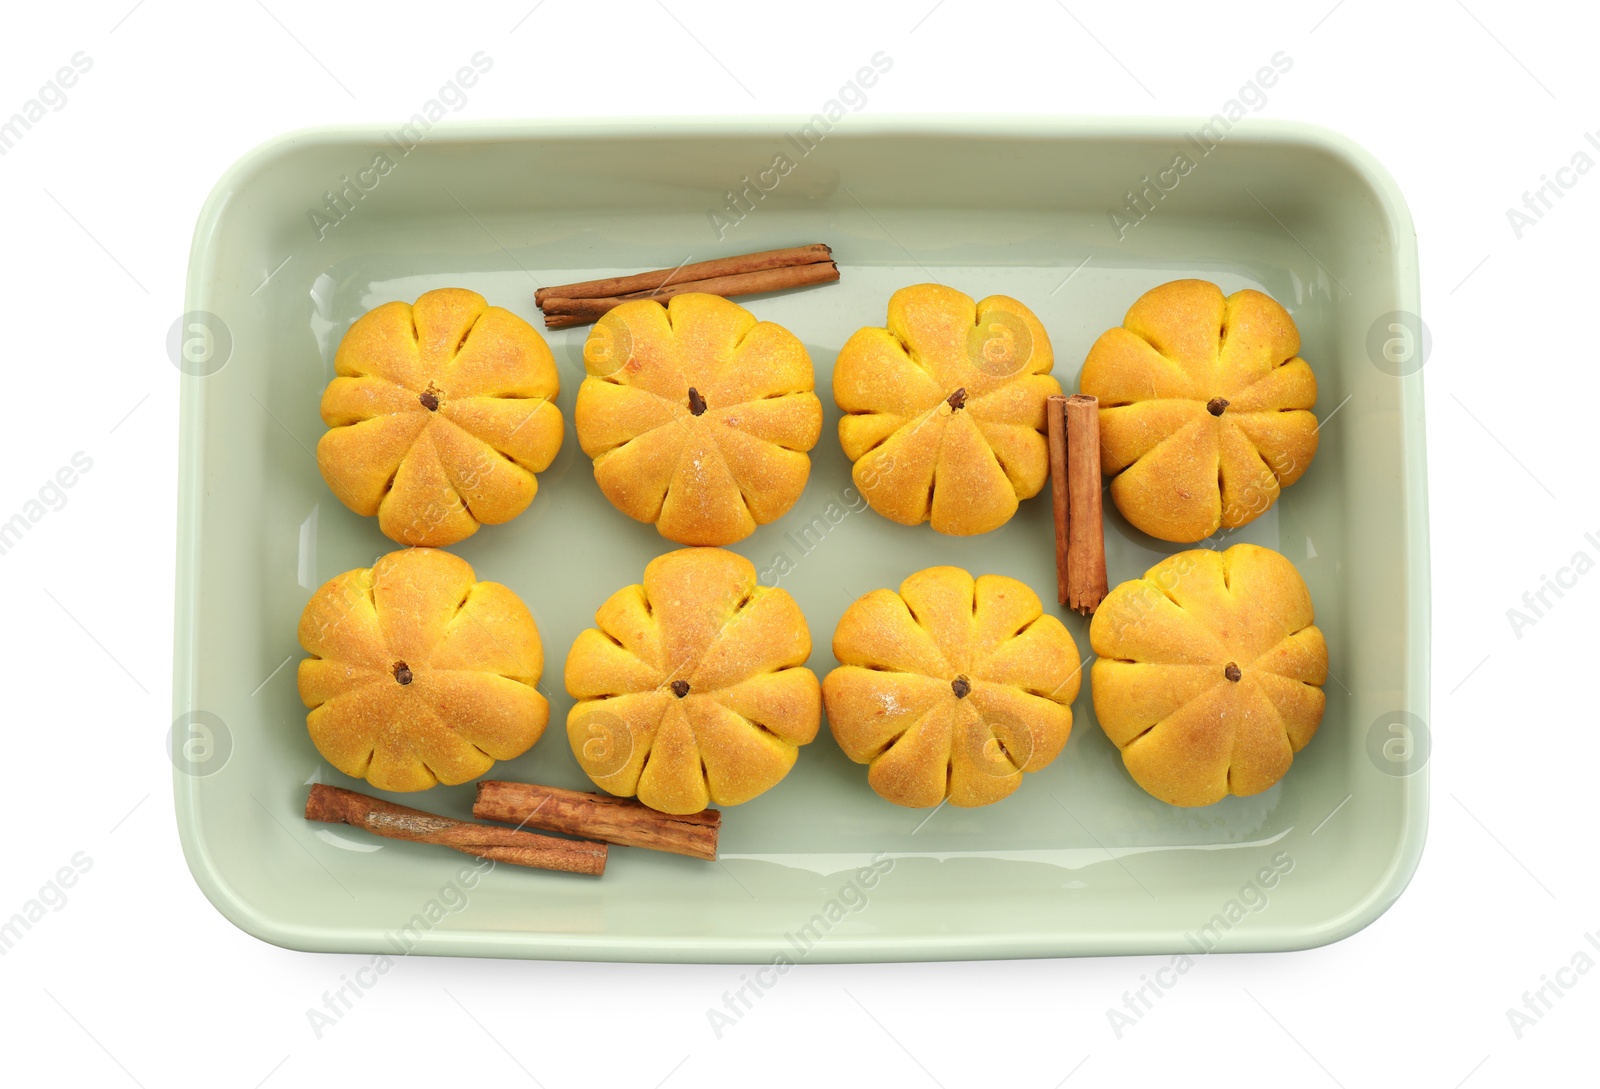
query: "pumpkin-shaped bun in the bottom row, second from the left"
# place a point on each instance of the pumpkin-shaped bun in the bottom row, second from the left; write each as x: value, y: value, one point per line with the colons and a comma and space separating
x: 694, y: 690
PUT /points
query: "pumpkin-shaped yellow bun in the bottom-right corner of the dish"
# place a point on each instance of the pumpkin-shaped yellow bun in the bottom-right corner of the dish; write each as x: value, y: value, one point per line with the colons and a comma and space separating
x: 1191, y: 730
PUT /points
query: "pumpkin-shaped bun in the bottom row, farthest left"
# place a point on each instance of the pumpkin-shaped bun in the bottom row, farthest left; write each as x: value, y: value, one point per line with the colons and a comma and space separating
x: 418, y: 674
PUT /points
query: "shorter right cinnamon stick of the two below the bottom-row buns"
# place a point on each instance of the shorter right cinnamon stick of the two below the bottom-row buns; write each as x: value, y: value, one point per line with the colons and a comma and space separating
x: 620, y: 821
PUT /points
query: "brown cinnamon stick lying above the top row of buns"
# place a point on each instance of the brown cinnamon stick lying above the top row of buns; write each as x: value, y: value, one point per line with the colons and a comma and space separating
x: 745, y: 274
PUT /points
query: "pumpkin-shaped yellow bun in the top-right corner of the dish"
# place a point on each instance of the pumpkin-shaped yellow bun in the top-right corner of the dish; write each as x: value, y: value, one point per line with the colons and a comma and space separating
x: 1206, y: 409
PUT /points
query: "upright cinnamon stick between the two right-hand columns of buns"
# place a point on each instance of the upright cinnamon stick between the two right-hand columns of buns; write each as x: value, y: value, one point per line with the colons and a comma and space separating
x: 1076, y: 497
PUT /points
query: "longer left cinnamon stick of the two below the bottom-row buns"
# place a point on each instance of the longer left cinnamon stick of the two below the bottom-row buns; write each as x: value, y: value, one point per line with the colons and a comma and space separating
x: 335, y: 805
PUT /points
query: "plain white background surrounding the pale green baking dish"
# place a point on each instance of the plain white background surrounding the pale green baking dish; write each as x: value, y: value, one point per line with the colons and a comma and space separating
x: 137, y: 979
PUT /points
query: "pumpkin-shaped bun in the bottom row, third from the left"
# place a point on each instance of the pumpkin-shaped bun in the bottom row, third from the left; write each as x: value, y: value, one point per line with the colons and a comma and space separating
x: 951, y: 688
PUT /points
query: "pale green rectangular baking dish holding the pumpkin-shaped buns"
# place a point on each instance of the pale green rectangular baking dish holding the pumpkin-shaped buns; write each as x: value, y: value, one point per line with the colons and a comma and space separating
x: 1076, y: 218
